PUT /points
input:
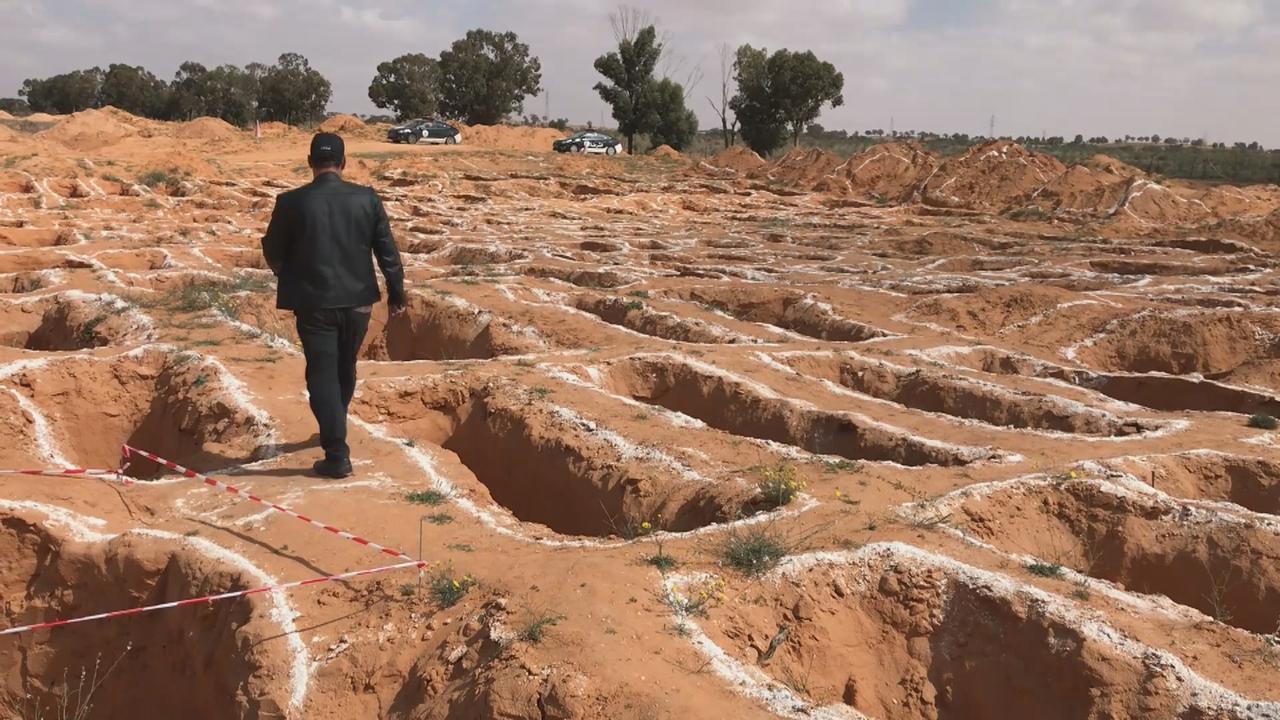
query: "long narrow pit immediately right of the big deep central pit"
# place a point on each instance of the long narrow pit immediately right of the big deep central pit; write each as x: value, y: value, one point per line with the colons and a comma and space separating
x: 743, y: 408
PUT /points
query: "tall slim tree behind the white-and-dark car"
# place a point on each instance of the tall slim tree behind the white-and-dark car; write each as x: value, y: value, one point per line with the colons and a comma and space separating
x: 630, y: 71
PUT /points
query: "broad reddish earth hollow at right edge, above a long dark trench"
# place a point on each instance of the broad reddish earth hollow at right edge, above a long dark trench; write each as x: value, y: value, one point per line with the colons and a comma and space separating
x: 1181, y: 344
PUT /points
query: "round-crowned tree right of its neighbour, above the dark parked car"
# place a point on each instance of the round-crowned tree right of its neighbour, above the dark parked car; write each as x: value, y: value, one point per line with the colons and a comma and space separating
x: 486, y: 76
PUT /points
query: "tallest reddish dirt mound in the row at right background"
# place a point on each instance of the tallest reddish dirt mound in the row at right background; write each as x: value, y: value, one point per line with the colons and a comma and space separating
x: 993, y: 176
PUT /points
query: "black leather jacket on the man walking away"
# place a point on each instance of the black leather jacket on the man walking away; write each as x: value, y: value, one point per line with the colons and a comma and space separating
x: 321, y: 245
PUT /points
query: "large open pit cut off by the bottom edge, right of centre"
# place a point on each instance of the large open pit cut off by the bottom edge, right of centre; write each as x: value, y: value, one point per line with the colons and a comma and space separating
x: 897, y: 634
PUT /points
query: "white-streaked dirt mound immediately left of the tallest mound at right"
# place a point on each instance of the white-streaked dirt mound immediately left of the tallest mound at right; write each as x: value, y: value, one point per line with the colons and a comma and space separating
x: 893, y: 172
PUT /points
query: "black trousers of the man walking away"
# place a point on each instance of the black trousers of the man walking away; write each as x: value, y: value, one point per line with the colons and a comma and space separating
x: 331, y: 343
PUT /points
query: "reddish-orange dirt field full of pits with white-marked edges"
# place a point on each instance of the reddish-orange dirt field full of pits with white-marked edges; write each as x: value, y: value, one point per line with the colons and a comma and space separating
x: 1009, y: 398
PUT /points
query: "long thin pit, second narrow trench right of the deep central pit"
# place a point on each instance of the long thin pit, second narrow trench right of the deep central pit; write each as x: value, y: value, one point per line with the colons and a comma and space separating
x: 962, y: 398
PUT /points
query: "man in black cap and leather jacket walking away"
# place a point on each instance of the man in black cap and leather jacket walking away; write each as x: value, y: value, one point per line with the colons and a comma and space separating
x: 321, y: 244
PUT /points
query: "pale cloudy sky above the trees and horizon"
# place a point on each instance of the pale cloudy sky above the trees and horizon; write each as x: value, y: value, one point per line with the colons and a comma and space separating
x: 1186, y: 69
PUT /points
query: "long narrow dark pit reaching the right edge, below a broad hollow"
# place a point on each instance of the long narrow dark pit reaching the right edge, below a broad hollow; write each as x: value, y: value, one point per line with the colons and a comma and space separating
x: 1158, y: 393
